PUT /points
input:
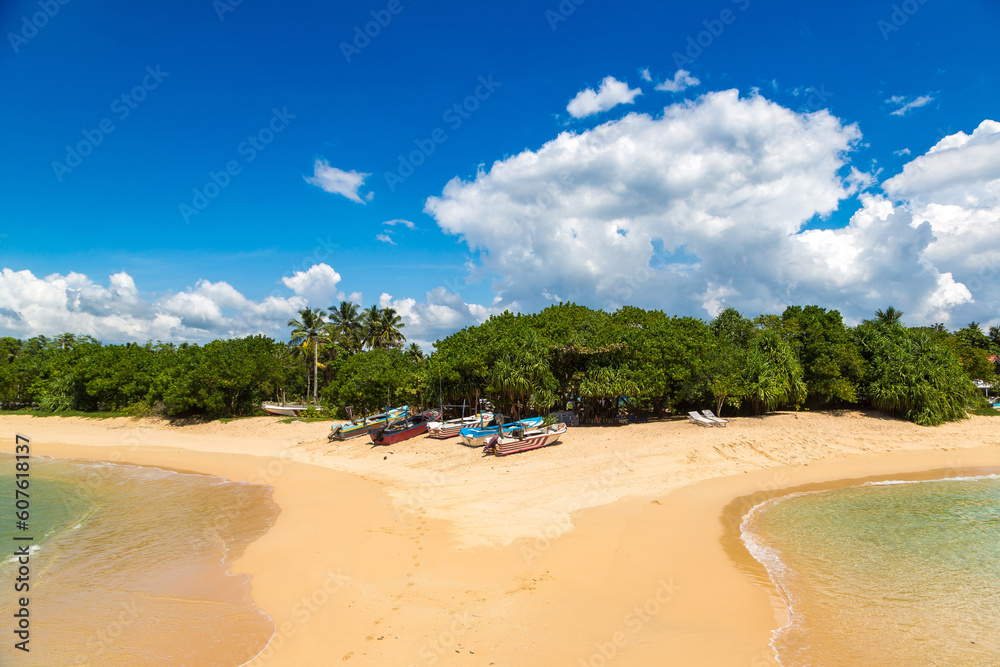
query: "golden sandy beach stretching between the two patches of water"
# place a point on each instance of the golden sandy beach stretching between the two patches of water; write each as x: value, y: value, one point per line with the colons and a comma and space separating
x: 618, y: 546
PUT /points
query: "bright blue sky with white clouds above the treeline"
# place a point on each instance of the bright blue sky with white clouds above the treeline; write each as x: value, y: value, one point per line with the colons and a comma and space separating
x: 271, y: 90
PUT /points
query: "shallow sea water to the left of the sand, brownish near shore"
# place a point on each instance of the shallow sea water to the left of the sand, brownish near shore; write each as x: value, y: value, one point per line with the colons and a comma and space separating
x: 129, y: 566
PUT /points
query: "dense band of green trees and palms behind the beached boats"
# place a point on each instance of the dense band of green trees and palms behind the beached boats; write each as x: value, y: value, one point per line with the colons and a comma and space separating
x: 603, y: 365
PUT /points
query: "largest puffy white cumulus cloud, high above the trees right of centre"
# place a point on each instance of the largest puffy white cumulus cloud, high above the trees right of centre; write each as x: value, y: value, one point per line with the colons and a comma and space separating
x: 655, y: 211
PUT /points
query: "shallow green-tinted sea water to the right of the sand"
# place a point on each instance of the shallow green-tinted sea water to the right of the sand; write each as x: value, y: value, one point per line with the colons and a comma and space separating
x: 888, y: 573
